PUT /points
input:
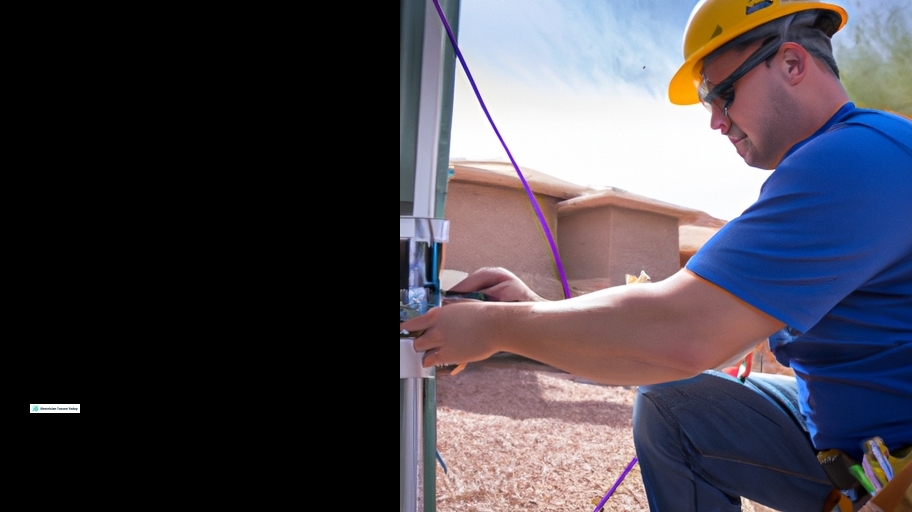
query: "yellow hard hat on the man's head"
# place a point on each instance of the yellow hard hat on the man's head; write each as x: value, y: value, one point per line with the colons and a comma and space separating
x: 716, y: 22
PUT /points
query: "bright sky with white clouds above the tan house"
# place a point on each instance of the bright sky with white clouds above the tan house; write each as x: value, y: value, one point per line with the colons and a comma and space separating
x: 578, y: 89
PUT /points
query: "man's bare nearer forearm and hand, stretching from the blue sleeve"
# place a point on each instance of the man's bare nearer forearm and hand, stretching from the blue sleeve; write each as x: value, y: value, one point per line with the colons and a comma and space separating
x: 638, y: 334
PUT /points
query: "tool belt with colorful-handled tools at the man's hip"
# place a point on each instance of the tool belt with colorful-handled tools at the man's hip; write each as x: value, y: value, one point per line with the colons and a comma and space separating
x: 885, y: 477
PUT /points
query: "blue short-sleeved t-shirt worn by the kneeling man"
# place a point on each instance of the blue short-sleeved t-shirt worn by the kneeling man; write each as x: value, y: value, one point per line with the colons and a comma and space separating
x: 827, y: 249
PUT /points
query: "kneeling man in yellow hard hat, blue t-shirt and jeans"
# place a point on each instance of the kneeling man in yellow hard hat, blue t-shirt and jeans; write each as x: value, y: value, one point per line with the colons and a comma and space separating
x: 821, y: 265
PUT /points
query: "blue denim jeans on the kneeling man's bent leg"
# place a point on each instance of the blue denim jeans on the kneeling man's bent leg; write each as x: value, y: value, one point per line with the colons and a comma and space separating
x: 704, y: 442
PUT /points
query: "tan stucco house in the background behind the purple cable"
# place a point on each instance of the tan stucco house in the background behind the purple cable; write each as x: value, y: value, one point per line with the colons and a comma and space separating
x: 602, y: 234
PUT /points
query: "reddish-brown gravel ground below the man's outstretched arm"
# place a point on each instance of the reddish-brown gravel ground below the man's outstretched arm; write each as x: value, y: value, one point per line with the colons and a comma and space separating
x: 519, y: 435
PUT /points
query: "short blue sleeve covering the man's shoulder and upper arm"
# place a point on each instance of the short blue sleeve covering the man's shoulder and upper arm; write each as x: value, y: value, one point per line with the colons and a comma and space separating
x: 832, y: 217
